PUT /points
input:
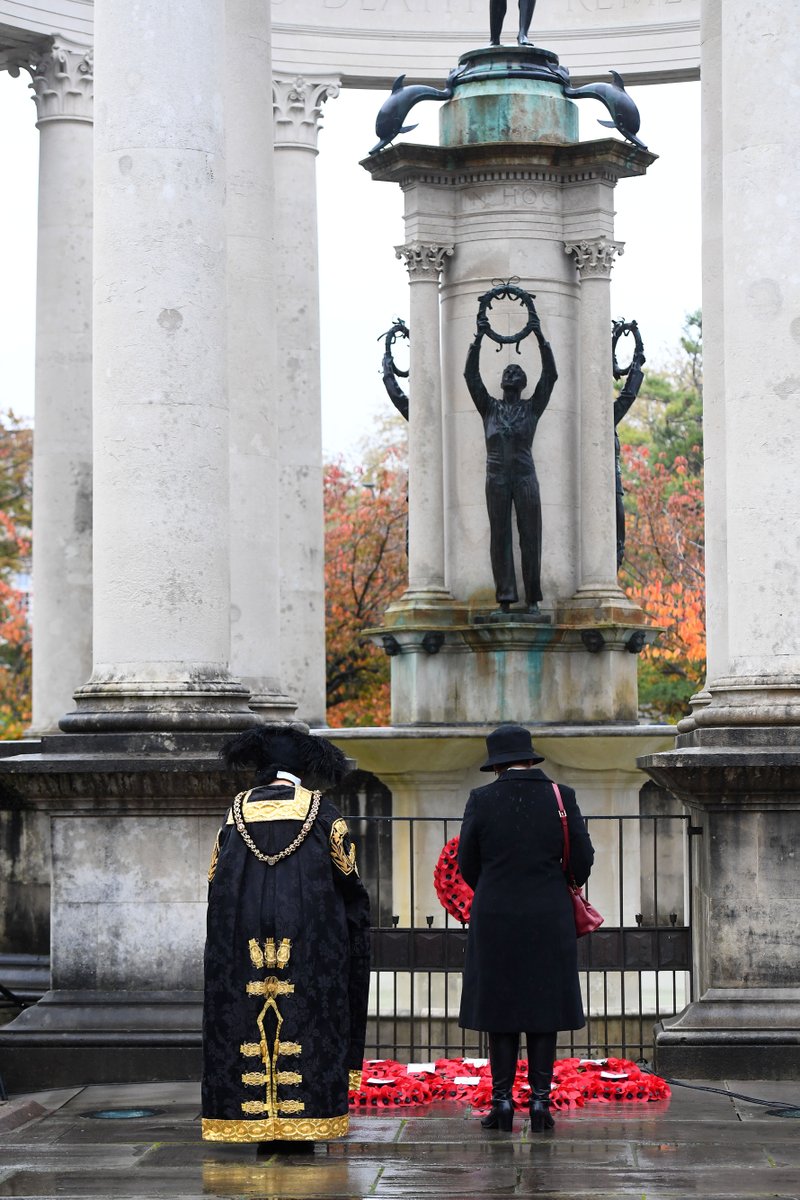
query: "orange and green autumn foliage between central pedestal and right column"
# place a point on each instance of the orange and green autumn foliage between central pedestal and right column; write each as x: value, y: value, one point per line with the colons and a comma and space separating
x: 664, y: 568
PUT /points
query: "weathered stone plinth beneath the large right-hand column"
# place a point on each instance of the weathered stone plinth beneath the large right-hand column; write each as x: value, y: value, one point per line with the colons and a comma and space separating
x: 742, y: 785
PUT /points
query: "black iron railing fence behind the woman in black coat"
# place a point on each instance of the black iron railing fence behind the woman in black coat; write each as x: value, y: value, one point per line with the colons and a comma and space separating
x: 634, y: 971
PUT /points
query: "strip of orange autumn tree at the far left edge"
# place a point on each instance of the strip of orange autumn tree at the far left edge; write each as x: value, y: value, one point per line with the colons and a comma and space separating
x: 16, y: 457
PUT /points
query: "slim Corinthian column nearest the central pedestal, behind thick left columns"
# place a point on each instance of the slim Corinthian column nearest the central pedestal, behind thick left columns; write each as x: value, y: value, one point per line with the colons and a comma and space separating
x: 298, y: 110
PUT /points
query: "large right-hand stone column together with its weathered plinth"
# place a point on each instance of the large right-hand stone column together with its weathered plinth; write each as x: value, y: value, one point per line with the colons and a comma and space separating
x: 737, y: 764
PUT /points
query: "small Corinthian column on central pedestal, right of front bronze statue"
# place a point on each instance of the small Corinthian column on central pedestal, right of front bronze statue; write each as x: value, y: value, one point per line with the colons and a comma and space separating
x: 598, y: 562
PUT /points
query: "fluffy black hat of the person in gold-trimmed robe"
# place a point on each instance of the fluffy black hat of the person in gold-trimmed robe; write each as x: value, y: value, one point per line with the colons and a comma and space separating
x: 272, y: 748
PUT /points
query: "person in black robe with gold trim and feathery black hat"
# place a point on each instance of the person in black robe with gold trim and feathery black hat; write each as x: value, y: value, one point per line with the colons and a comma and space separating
x: 287, y: 956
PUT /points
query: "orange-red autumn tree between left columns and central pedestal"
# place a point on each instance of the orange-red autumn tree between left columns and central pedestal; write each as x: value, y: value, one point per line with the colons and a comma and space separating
x: 366, y: 518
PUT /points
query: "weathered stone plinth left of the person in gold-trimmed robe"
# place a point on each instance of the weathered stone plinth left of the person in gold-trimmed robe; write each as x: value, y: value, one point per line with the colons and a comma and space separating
x: 133, y: 824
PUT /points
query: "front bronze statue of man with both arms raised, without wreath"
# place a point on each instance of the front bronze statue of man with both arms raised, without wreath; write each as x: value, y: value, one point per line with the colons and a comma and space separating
x: 509, y: 428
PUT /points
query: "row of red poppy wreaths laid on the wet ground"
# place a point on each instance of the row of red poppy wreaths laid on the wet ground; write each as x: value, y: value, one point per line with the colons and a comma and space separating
x: 576, y: 1083
